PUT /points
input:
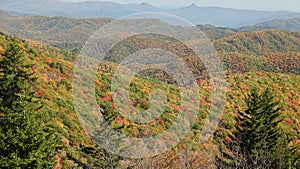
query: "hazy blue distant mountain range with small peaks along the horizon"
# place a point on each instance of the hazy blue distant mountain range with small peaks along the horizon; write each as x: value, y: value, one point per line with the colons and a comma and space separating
x: 223, y: 17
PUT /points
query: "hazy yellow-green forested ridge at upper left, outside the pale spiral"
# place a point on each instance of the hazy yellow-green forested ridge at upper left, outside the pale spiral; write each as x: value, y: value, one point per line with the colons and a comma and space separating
x: 58, y: 31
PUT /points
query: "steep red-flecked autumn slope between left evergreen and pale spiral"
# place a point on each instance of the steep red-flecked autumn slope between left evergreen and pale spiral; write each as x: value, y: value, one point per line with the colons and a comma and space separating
x: 53, y: 68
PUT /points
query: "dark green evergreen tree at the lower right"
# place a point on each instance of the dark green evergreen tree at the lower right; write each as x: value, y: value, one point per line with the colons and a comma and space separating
x: 253, y: 143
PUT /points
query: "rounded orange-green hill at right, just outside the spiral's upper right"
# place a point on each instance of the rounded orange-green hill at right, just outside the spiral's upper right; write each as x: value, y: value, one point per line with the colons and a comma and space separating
x: 261, y: 42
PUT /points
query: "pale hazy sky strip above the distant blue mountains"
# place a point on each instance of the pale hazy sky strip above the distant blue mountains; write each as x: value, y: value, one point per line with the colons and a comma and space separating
x: 292, y: 5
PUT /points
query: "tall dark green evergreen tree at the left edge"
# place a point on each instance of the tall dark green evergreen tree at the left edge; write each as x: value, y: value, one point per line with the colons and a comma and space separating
x: 23, y: 140
